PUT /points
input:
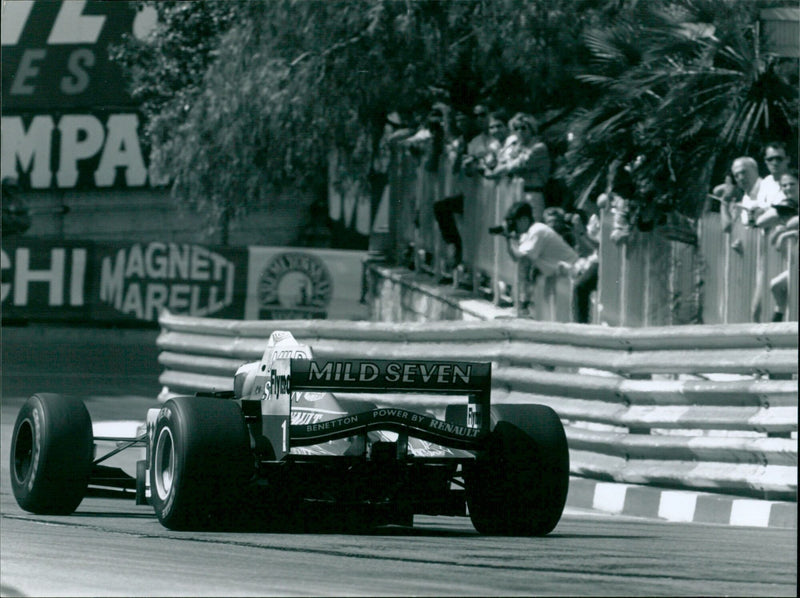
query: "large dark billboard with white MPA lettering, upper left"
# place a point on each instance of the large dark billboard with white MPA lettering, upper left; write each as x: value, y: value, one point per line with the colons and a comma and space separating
x: 68, y: 121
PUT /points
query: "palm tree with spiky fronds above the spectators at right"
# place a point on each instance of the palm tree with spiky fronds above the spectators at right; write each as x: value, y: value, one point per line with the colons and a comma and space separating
x: 686, y: 85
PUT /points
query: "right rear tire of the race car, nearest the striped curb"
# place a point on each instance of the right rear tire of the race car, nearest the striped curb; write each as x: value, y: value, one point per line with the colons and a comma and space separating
x: 518, y: 487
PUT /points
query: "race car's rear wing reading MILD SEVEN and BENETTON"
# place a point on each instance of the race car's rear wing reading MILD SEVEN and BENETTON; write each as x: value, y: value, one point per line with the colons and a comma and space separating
x: 472, y: 379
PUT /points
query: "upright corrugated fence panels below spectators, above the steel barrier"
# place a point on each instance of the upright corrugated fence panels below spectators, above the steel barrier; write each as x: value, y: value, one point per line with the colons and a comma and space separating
x: 649, y: 280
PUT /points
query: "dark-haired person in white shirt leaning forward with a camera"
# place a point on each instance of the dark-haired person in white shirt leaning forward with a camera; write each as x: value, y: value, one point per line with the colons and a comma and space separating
x: 536, y: 243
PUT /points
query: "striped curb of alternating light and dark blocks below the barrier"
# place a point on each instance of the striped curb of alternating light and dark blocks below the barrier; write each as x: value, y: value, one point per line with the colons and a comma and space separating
x: 679, y: 505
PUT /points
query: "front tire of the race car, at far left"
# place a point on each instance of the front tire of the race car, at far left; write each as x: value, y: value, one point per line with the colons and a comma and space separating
x: 51, y: 454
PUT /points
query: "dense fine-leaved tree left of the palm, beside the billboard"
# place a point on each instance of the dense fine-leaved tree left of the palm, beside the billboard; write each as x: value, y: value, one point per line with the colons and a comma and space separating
x: 243, y: 98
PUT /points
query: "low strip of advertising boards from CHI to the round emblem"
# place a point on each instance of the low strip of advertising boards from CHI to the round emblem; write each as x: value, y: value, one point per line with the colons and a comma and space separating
x: 131, y: 283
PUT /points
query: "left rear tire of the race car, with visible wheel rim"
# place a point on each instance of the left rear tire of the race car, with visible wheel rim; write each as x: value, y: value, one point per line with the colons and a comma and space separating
x: 200, y: 462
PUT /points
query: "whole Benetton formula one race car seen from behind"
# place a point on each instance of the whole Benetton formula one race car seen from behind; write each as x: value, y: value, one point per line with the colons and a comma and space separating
x: 282, y: 446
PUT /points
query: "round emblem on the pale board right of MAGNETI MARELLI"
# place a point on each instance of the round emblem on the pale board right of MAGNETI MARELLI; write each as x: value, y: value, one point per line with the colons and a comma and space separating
x: 294, y: 285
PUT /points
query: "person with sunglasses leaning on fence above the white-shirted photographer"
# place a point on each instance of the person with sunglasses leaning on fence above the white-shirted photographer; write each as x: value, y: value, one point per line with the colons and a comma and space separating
x: 525, y: 156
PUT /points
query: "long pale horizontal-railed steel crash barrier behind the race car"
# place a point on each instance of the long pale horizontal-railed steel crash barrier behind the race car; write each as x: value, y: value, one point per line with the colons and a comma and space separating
x: 686, y: 429
